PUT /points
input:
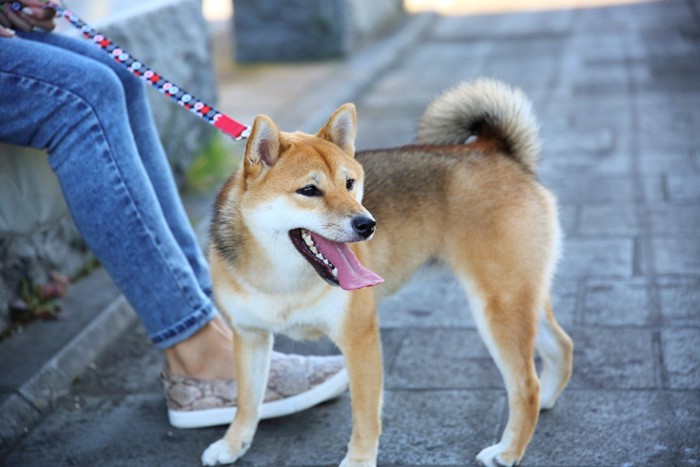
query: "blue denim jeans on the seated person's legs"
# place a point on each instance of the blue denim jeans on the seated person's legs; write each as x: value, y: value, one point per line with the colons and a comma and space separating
x: 68, y: 97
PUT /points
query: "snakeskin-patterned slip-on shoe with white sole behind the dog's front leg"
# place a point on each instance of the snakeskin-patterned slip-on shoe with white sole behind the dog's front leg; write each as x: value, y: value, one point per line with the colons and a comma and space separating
x: 295, y: 383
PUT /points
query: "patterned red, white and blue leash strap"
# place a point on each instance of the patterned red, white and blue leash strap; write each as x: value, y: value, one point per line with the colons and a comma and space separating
x: 198, y: 107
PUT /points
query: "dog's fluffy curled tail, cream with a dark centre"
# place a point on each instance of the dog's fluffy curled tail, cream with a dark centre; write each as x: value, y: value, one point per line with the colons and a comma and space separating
x: 484, y: 108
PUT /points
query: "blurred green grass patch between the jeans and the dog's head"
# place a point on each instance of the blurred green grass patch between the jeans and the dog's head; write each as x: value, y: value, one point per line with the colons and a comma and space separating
x: 214, y: 164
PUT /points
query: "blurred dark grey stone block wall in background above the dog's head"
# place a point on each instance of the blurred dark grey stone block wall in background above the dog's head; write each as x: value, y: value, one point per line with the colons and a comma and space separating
x: 294, y: 30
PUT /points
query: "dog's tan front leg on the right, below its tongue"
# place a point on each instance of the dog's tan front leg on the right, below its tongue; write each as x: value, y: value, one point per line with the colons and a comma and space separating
x: 362, y: 350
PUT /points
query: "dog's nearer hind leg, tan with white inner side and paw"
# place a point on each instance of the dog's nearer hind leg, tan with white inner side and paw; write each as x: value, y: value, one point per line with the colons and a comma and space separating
x: 507, y: 321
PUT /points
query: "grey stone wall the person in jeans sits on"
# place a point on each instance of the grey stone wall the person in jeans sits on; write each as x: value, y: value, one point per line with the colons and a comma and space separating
x: 173, y: 38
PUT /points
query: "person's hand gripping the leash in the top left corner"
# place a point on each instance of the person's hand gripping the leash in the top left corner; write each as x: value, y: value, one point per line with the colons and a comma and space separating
x: 25, y: 15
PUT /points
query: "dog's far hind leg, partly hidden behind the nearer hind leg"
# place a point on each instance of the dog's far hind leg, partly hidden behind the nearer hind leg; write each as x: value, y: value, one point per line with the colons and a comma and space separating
x: 556, y: 349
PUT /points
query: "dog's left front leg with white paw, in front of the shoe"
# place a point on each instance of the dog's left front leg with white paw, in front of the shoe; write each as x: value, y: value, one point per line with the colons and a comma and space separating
x: 252, y: 352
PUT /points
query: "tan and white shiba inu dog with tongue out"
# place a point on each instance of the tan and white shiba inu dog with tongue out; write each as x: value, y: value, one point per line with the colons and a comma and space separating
x: 306, y: 227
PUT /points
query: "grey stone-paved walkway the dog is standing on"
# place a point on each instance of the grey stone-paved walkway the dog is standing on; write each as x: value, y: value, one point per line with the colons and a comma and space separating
x: 617, y: 91
